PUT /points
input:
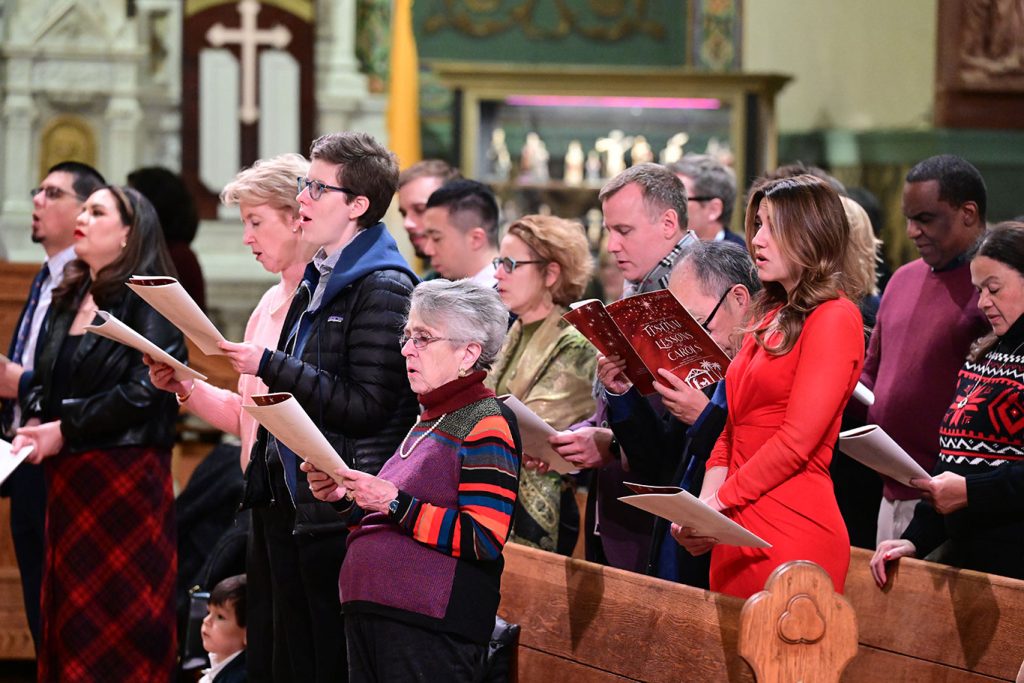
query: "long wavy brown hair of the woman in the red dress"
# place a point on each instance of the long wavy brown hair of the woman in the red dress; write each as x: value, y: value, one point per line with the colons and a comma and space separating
x: 810, y: 228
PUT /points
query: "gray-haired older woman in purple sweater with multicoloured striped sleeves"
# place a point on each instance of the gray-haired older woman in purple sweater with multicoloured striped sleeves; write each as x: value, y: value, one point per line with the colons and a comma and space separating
x: 420, y: 583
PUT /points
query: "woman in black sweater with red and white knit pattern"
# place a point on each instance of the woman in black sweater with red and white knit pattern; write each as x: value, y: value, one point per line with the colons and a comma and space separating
x: 973, y: 500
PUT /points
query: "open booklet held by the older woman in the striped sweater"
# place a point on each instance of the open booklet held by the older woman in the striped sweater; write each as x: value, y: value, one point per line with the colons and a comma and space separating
x: 284, y: 418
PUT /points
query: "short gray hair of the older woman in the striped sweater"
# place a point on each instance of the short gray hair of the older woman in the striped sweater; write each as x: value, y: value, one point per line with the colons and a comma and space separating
x: 467, y: 312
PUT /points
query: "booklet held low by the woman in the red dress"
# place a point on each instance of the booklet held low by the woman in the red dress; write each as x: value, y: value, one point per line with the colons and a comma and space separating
x: 679, y: 506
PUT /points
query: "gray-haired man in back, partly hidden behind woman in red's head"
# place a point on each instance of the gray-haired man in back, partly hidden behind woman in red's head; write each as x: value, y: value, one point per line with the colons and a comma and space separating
x: 711, y: 194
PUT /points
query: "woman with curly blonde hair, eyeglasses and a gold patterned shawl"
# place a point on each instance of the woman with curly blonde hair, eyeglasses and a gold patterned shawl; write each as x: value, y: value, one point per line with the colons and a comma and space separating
x: 544, y: 266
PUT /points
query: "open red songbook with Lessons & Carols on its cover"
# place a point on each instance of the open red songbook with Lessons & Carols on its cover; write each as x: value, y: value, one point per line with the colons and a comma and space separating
x: 652, y: 331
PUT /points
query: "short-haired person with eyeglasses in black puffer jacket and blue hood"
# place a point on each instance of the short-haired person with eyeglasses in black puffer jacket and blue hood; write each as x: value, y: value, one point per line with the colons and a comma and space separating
x: 339, y: 357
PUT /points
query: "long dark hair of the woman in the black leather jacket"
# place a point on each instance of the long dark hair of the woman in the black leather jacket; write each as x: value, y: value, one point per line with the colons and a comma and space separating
x: 145, y: 254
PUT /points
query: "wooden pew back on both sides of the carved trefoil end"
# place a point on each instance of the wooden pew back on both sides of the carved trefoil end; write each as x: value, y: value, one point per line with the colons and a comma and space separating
x: 584, y: 622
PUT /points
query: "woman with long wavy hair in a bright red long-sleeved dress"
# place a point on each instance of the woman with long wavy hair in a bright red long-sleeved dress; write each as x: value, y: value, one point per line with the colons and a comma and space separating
x: 787, y: 390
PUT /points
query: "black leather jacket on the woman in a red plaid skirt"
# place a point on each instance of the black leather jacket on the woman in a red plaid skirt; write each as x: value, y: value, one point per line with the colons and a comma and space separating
x: 111, y: 402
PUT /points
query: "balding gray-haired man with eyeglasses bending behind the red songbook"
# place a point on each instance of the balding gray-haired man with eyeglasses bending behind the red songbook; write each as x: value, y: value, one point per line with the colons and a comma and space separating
x: 716, y: 282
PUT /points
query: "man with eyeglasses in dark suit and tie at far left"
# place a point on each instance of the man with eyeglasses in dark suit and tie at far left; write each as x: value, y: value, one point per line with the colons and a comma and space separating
x: 56, y: 206
